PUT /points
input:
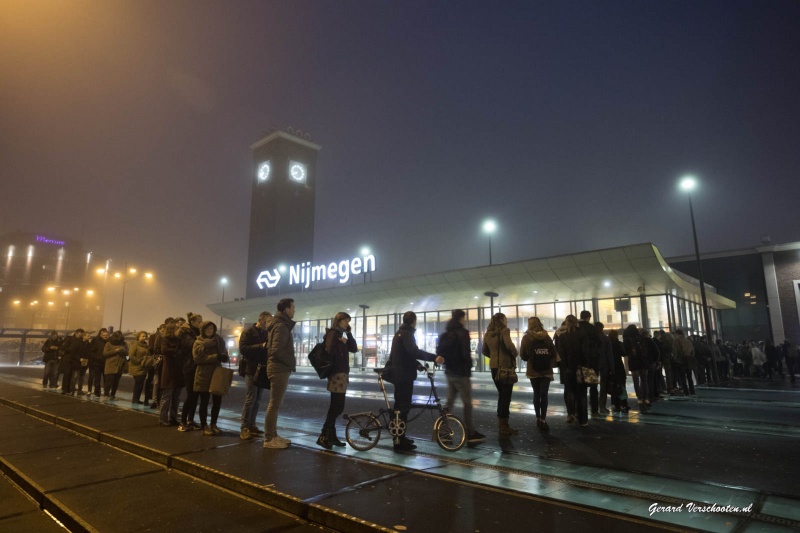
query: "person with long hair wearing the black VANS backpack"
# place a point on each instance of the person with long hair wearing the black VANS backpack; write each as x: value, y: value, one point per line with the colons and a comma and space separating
x: 538, y: 350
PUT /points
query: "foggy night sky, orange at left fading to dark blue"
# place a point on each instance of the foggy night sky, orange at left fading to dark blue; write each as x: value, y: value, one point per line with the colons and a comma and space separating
x: 127, y: 125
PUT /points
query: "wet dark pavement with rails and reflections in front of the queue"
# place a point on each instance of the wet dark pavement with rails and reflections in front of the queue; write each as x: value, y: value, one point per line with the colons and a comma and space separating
x: 99, y: 466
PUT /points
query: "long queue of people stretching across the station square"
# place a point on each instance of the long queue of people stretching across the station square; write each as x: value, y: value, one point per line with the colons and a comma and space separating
x: 593, y: 367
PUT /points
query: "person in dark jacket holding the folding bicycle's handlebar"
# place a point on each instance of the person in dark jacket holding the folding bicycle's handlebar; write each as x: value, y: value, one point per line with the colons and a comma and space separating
x: 403, y: 360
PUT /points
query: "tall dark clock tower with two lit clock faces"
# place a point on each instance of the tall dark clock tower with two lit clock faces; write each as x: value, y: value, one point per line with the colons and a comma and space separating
x: 282, y: 205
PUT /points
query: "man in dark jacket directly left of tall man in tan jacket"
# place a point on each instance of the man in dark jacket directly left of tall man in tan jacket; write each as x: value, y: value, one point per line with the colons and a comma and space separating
x: 253, y: 351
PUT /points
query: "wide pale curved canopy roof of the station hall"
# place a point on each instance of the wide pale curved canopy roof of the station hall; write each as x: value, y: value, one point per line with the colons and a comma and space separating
x: 625, y: 271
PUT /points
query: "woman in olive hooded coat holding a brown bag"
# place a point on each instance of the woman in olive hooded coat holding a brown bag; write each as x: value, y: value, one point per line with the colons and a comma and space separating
x: 208, y: 352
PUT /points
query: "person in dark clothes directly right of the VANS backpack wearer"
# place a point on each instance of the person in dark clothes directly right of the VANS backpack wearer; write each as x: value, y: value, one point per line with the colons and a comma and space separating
x: 568, y: 346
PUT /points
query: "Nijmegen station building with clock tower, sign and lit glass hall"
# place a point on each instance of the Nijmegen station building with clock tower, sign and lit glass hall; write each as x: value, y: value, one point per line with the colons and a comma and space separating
x: 619, y: 286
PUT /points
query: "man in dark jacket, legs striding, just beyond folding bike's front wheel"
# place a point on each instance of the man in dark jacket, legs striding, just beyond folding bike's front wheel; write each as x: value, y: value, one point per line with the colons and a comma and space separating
x: 454, y: 347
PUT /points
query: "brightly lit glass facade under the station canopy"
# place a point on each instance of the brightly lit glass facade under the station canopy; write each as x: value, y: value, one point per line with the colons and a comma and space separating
x: 374, y: 333
